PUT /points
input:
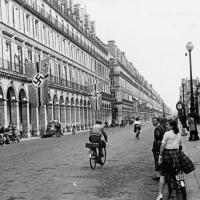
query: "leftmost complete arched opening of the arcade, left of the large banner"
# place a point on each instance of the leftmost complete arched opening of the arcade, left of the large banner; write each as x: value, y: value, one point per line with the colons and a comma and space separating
x: 11, y: 106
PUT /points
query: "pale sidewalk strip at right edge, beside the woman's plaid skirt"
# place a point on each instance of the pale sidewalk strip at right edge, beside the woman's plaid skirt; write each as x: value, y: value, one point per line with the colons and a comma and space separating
x: 192, y: 150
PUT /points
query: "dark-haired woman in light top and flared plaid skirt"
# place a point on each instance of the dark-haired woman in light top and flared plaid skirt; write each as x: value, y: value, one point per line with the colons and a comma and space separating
x: 171, y: 155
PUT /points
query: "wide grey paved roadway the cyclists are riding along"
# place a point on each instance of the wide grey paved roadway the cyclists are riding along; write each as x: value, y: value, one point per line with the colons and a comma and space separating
x: 58, y: 168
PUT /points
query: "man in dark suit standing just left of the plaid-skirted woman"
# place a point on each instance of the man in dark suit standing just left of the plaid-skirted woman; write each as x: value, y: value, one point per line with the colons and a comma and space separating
x: 158, y: 136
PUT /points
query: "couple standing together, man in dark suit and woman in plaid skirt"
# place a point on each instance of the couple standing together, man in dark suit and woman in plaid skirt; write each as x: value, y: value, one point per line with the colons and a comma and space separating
x: 167, y: 151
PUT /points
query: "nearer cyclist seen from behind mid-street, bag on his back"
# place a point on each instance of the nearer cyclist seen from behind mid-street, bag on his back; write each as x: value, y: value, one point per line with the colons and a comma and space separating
x: 96, y: 132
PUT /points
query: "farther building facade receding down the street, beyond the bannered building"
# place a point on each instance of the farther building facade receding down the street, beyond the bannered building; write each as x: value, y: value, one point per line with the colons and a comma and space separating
x: 133, y: 95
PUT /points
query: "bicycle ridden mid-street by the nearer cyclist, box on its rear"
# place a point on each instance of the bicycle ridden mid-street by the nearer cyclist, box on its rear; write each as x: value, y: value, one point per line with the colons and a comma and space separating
x: 94, y: 154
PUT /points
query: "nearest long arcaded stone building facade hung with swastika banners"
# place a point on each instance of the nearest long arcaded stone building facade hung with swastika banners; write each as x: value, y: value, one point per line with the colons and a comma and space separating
x: 33, y: 30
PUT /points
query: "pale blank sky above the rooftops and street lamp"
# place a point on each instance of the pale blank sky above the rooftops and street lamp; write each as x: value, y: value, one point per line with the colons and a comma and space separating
x: 153, y: 34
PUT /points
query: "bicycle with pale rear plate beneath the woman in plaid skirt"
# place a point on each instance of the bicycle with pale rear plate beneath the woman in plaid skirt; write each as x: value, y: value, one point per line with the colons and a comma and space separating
x: 176, y: 181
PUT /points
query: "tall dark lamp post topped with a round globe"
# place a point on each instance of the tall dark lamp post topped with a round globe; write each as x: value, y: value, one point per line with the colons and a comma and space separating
x: 190, y: 47
